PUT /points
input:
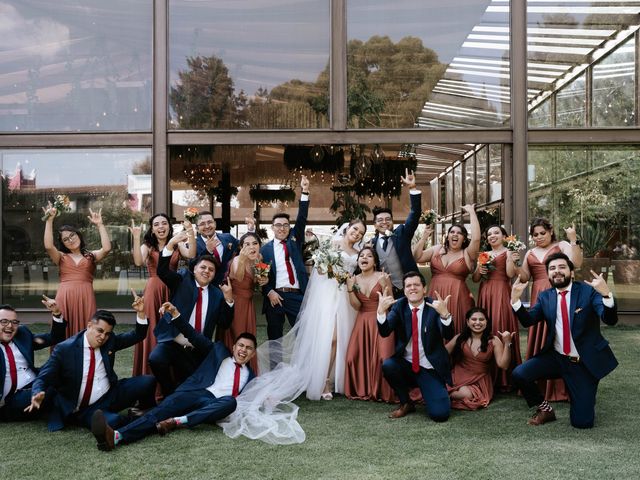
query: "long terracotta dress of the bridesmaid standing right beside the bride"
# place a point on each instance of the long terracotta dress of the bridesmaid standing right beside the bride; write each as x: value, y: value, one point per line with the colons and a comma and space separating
x: 366, y: 352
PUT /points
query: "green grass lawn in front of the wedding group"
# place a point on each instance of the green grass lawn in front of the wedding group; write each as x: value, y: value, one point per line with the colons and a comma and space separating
x: 355, y: 440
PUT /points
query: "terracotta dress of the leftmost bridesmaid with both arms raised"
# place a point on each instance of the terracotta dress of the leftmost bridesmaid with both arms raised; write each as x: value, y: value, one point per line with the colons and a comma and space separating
x: 75, y: 295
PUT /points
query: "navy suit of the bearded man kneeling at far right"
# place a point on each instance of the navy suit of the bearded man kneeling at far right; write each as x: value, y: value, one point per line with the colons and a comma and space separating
x: 596, y: 358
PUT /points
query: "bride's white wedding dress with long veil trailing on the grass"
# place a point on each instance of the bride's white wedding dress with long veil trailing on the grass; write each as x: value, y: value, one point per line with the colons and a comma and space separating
x: 265, y: 408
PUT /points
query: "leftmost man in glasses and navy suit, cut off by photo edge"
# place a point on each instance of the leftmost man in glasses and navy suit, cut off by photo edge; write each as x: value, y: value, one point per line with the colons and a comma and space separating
x: 17, y: 368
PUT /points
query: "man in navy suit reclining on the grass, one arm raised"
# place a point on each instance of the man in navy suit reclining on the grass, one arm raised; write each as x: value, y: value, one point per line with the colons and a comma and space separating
x: 207, y: 396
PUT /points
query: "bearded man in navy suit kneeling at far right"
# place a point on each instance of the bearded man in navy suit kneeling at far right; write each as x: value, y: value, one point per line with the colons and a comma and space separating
x: 574, y: 349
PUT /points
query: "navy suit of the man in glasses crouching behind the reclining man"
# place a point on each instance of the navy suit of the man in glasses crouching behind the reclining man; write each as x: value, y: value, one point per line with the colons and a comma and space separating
x: 168, y: 355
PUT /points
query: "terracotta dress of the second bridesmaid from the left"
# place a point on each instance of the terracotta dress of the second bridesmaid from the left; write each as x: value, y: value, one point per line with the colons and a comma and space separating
x: 155, y: 294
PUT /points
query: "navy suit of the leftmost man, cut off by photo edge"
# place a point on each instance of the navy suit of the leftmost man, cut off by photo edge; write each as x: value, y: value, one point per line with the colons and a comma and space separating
x: 25, y: 341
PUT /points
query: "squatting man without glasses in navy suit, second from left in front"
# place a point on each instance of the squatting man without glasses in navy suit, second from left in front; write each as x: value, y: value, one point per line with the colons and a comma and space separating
x: 80, y: 371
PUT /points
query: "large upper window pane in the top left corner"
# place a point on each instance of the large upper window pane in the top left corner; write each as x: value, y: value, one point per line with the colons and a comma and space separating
x: 76, y: 65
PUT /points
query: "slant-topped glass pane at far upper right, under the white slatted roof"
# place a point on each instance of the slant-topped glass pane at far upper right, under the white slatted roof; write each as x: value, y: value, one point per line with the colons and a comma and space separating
x: 614, y: 88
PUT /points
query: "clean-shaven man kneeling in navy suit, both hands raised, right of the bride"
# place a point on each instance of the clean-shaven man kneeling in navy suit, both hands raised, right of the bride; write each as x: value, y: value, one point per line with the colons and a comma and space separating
x: 421, y: 325
